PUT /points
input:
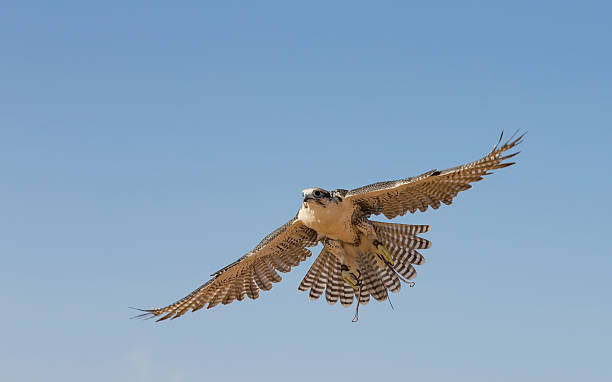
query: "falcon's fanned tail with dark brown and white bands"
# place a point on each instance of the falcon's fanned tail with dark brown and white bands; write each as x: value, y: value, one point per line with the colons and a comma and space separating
x: 377, y: 278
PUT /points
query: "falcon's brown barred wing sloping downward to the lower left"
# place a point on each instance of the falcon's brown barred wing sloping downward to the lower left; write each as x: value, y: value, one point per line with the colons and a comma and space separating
x: 279, y: 251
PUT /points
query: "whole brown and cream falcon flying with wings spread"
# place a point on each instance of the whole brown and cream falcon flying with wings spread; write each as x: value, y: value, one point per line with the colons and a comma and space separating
x: 360, y: 257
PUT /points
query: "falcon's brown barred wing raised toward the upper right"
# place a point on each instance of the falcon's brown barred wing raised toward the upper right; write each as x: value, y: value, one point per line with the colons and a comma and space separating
x: 397, y: 197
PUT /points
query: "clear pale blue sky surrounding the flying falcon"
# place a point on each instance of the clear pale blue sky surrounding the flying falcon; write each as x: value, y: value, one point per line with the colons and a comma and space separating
x: 144, y: 145
